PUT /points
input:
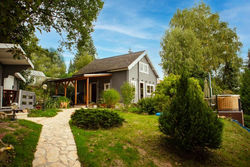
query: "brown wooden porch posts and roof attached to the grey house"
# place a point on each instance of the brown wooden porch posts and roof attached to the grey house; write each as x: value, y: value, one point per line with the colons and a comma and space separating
x: 66, y: 81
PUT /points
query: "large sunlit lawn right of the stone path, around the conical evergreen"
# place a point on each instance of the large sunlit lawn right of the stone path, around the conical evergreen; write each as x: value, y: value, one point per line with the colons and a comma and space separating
x: 140, y: 143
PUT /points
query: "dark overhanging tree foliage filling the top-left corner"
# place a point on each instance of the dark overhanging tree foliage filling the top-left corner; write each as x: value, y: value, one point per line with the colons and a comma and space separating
x: 72, y: 18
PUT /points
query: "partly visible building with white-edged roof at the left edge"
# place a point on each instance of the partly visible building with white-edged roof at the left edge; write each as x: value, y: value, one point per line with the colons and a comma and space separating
x: 10, y: 78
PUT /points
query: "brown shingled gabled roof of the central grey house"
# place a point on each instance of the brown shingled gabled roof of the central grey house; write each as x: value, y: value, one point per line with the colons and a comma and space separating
x: 110, y: 64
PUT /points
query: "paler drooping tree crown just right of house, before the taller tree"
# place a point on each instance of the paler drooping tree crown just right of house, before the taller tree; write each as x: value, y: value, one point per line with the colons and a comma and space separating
x: 181, y: 51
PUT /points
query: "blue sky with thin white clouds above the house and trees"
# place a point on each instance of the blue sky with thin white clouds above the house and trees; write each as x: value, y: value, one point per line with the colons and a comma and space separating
x: 140, y: 25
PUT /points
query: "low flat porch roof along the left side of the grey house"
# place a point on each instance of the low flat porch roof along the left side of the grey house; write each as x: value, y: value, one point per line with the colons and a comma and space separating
x: 80, y: 77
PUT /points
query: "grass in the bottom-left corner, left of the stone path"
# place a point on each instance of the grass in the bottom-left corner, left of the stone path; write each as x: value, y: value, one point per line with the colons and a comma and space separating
x: 24, y: 136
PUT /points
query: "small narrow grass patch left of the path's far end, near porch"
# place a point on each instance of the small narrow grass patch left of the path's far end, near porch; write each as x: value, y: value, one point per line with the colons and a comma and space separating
x: 43, y: 113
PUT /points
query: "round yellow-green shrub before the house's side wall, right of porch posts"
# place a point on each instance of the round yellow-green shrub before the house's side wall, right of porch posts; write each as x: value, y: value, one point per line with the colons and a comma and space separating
x: 110, y: 97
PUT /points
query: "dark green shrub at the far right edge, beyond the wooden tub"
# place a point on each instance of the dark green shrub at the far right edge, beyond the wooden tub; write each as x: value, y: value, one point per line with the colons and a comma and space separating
x: 245, y: 92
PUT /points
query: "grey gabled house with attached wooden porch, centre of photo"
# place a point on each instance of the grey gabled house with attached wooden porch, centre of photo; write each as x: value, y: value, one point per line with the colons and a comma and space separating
x: 101, y: 74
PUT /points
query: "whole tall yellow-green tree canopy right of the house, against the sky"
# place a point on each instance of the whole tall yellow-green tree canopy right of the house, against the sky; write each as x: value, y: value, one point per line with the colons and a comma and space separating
x: 198, y: 42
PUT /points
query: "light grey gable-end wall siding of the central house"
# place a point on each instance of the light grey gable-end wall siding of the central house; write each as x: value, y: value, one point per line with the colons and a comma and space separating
x: 135, y: 75
